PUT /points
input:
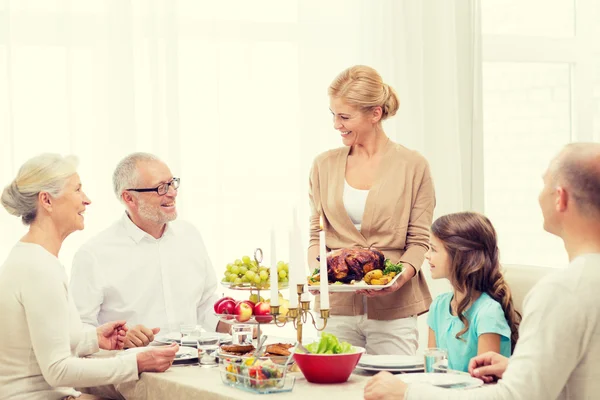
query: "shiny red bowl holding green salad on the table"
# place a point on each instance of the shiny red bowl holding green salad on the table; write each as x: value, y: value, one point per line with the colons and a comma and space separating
x: 328, y: 368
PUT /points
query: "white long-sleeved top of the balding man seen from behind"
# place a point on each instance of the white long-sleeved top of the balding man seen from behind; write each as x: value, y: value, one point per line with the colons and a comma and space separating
x: 558, y: 351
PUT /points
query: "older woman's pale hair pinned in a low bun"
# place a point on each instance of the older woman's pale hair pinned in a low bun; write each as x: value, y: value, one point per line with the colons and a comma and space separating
x: 44, y: 173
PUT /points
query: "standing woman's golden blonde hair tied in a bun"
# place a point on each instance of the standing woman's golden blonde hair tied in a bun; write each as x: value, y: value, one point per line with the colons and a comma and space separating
x: 362, y: 87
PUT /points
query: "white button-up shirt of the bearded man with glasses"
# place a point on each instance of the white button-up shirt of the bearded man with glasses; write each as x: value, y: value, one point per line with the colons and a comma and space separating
x: 126, y: 274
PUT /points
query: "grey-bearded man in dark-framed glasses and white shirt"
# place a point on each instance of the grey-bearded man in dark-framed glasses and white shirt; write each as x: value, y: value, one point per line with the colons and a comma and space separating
x: 147, y: 268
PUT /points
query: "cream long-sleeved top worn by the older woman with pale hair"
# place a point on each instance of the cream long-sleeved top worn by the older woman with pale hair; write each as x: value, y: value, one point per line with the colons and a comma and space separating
x: 41, y: 335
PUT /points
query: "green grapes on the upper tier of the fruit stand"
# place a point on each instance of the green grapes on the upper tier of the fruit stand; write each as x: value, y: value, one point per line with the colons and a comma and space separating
x: 245, y: 272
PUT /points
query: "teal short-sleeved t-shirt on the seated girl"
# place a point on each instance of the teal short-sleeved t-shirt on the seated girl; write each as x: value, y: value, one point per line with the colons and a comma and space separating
x: 485, y: 316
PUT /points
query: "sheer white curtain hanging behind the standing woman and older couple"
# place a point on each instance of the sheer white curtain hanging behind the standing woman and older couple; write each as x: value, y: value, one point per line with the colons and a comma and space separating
x: 232, y: 95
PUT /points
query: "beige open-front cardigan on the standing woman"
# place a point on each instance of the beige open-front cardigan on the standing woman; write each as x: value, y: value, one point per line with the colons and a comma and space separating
x: 396, y: 220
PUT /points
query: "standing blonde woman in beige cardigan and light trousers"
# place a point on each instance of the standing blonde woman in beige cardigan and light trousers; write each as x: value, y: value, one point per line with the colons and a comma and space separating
x: 373, y: 193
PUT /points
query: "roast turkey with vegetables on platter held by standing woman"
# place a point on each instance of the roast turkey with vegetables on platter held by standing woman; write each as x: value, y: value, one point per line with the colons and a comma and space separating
x: 351, y: 270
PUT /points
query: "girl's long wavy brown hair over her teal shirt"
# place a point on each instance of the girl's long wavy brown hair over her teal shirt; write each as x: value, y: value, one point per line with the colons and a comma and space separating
x: 470, y: 240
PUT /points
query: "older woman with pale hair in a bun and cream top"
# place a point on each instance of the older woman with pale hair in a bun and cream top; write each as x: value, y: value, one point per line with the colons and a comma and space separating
x: 42, y: 337
